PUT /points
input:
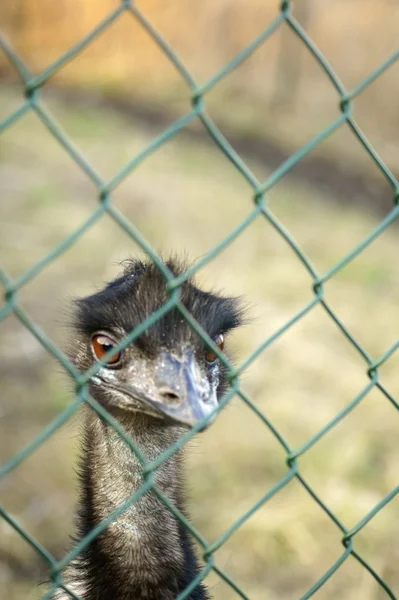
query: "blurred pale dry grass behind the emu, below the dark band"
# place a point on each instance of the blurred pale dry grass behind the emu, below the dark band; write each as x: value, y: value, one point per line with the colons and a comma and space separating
x: 187, y: 198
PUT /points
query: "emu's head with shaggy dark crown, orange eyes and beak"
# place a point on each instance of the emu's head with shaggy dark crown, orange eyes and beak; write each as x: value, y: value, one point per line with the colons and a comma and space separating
x: 167, y: 372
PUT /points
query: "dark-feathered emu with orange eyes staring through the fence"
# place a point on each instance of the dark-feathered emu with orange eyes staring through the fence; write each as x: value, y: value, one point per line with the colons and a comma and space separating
x: 164, y: 382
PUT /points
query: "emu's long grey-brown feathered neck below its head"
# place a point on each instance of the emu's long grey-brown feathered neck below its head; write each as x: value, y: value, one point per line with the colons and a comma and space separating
x: 140, y: 554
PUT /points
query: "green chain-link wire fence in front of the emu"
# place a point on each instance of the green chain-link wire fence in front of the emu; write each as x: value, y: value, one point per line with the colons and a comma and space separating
x: 258, y: 208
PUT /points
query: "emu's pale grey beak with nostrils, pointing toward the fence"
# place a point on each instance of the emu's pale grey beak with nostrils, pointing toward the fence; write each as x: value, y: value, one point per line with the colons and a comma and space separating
x: 184, y: 393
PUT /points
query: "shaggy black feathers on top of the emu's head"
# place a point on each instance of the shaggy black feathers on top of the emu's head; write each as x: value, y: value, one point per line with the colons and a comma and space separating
x: 130, y: 299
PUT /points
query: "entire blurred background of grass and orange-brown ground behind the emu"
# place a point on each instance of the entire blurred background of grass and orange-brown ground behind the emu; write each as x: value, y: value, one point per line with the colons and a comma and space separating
x: 112, y: 100
